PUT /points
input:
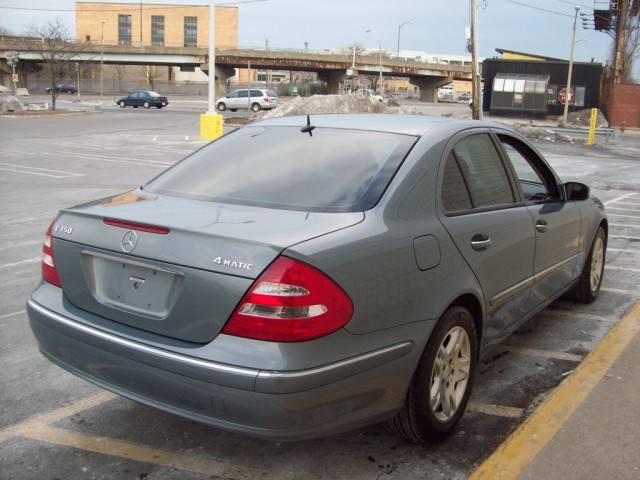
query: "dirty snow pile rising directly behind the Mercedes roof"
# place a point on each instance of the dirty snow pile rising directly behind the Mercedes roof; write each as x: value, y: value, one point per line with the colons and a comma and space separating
x: 318, y: 104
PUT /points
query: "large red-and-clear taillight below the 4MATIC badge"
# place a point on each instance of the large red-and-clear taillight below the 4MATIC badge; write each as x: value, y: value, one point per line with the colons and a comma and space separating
x: 290, y: 302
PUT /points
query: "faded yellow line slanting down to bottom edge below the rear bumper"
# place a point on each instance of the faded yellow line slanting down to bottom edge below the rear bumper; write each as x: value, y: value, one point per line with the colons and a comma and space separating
x: 146, y: 454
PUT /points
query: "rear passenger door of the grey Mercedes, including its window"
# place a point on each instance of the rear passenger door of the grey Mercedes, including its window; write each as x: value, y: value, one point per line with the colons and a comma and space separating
x: 482, y: 211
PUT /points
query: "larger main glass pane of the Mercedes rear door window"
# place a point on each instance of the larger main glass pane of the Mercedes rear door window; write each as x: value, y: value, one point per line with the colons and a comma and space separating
x: 484, y: 172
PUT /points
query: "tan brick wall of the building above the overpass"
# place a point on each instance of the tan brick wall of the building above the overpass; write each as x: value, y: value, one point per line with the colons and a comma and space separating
x: 90, y: 15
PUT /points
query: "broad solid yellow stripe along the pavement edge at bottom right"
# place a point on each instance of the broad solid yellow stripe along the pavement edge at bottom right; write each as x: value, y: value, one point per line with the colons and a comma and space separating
x: 523, y: 445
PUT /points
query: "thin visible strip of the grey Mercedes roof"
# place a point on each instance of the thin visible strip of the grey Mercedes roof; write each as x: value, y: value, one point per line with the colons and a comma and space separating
x: 416, y: 125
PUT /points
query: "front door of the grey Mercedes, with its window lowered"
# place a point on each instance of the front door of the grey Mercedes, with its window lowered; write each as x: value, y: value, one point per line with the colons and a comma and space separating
x: 557, y: 222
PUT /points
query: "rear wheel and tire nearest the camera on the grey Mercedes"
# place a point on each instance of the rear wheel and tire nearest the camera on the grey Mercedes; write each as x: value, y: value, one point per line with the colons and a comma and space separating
x: 420, y: 422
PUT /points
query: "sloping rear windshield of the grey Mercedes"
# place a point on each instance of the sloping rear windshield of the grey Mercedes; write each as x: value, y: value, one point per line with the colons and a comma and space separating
x: 333, y: 170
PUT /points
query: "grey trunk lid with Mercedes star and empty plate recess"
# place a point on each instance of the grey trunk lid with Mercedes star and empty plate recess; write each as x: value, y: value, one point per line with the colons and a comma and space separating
x: 174, y: 266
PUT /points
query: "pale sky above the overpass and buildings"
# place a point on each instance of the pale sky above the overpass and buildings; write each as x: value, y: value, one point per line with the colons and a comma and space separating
x: 438, y: 24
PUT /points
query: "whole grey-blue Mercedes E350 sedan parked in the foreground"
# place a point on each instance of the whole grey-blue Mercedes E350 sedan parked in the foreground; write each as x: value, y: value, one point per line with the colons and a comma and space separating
x: 303, y: 276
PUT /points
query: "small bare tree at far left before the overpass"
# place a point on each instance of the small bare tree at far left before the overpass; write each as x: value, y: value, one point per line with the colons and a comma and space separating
x: 56, y: 50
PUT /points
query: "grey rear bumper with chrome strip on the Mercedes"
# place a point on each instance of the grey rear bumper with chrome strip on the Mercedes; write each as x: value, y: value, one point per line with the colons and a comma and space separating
x: 279, y: 405
